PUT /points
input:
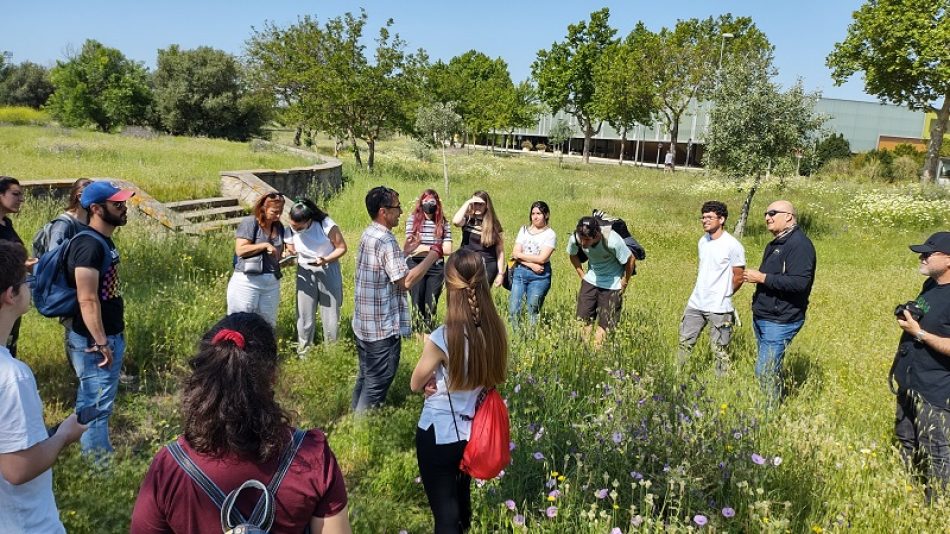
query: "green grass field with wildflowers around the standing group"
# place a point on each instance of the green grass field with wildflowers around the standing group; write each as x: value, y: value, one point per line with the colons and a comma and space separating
x: 624, y: 440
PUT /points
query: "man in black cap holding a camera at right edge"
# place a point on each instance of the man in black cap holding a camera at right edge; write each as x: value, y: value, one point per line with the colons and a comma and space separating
x: 922, y: 367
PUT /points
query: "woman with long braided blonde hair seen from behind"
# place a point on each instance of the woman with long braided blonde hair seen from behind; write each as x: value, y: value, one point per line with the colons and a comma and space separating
x: 460, y: 359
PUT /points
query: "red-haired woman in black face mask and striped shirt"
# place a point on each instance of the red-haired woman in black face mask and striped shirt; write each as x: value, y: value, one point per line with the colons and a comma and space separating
x: 427, y: 222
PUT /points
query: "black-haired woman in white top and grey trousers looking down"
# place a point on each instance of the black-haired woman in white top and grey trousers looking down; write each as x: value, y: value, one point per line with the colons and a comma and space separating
x: 319, y: 245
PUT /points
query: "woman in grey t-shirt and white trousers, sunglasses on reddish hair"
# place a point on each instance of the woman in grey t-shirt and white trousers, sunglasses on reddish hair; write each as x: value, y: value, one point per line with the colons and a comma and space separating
x: 258, y: 247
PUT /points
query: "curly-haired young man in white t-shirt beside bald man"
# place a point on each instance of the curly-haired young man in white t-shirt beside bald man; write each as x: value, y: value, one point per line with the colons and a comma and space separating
x: 721, y: 265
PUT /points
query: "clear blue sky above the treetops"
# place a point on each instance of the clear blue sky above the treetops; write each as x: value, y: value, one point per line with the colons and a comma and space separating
x: 43, y: 31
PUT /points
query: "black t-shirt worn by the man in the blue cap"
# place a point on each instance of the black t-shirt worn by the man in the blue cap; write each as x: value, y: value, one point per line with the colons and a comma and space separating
x: 87, y: 251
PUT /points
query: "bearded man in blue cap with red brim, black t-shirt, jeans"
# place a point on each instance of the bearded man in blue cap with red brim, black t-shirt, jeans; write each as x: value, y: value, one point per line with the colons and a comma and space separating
x: 95, y: 339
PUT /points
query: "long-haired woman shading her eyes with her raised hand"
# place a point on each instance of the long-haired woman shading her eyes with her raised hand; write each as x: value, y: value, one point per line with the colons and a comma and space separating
x: 481, y: 232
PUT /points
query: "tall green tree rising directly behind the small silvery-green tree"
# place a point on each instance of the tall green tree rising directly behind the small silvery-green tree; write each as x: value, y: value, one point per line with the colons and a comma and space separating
x: 685, y: 61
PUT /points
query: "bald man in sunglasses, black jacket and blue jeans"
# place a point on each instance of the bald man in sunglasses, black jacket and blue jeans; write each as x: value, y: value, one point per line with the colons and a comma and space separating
x: 783, y: 284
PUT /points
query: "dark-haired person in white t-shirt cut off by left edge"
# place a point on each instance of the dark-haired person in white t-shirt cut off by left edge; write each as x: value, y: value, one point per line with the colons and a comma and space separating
x: 27, y: 451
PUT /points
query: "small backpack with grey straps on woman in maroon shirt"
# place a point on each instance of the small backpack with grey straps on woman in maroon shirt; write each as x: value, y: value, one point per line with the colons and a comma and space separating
x: 232, y: 521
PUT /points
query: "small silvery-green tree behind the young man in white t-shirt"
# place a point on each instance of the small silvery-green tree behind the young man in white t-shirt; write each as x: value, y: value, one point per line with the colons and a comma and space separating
x: 754, y: 123
